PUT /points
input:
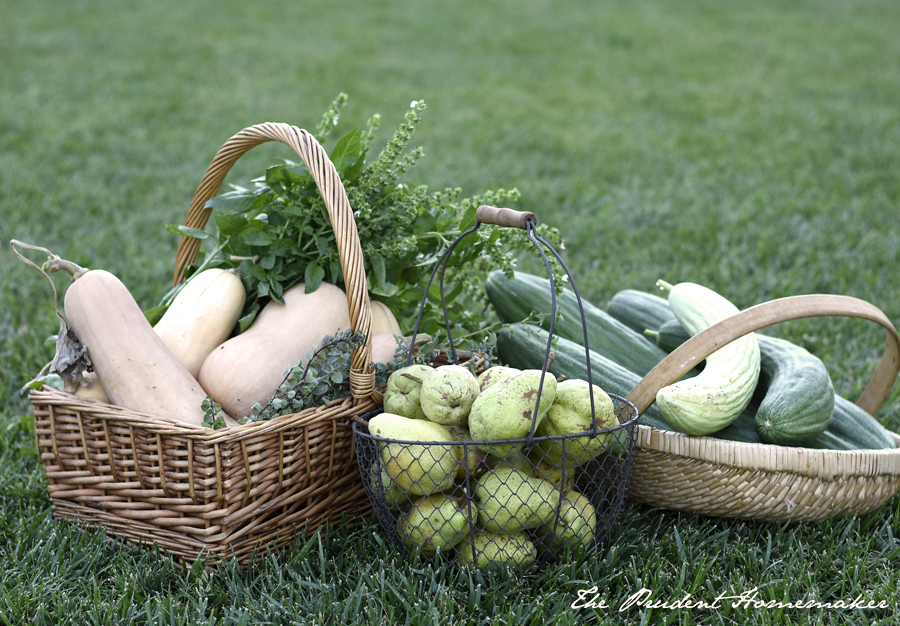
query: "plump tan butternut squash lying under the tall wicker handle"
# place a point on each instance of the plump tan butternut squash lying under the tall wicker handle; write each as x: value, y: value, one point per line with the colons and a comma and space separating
x: 248, y: 368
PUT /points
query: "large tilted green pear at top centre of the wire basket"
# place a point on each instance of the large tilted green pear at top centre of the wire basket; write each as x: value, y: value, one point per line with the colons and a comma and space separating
x: 505, y: 410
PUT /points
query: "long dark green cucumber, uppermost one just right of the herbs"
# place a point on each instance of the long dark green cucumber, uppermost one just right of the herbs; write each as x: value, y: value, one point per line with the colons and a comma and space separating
x: 515, y: 300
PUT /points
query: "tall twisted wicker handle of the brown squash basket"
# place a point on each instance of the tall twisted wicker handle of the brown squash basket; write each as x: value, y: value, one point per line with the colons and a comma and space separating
x: 362, y: 378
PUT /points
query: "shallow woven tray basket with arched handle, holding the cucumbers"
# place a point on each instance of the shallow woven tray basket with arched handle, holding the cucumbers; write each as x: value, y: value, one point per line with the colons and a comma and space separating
x: 757, y: 481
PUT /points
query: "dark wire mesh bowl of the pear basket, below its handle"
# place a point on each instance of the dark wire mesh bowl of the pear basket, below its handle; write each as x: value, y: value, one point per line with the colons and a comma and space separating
x: 504, y: 501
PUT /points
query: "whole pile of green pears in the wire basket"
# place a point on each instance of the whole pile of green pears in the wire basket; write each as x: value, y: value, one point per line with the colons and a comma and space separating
x: 492, y: 501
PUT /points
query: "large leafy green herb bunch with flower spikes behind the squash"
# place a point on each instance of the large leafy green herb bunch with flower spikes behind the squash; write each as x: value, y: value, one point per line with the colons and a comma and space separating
x: 278, y: 232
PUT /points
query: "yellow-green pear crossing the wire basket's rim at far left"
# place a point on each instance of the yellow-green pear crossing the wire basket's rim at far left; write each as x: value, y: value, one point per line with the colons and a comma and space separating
x: 418, y: 469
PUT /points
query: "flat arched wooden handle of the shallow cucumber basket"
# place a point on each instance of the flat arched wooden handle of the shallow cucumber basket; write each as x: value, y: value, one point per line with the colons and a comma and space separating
x: 701, y: 345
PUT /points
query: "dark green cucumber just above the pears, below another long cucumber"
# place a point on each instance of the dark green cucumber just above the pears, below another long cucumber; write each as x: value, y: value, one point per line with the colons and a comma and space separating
x: 523, y: 346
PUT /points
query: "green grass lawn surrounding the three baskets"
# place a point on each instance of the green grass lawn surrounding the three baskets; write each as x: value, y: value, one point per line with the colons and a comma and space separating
x: 750, y: 147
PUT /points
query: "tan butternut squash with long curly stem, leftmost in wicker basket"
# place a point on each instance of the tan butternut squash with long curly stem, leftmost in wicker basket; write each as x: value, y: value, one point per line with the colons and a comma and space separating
x: 133, y: 364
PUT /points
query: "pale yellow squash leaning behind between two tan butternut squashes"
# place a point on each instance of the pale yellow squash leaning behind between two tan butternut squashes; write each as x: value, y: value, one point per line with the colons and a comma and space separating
x: 202, y: 316
